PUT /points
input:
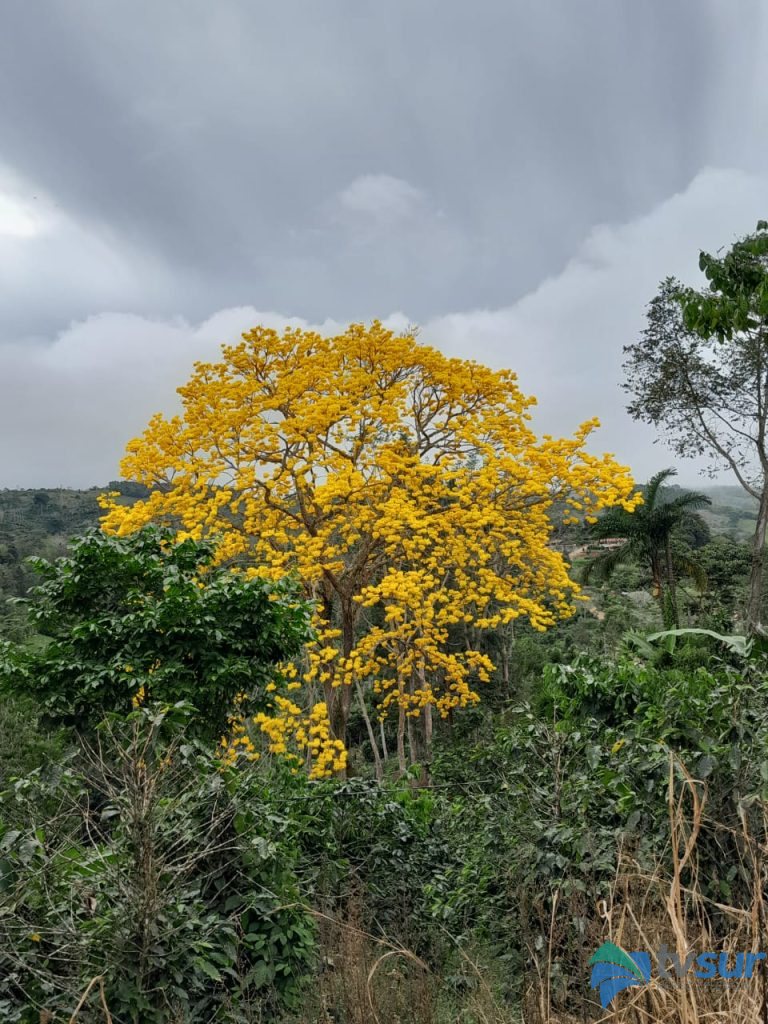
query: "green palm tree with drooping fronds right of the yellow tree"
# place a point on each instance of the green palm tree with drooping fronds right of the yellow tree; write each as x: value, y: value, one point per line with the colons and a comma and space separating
x: 650, y: 534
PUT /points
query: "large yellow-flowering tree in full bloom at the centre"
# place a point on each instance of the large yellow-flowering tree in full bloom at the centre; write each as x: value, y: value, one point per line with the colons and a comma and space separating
x: 407, y: 490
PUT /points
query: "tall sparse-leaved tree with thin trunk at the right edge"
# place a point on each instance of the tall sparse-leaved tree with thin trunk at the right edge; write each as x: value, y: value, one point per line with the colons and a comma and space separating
x: 700, y: 374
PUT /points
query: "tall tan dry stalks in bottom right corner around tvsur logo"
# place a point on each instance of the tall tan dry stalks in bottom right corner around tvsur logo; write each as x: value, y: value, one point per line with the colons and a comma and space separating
x: 648, y: 910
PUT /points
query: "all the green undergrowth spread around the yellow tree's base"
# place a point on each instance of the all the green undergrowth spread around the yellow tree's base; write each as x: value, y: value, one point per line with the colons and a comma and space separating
x: 207, y: 894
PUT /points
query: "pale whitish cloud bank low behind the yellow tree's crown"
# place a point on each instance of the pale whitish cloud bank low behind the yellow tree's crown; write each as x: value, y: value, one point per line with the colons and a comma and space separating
x: 75, y: 402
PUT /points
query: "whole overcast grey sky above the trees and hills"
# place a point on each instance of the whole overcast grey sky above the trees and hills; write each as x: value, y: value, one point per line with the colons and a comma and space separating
x: 516, y: 177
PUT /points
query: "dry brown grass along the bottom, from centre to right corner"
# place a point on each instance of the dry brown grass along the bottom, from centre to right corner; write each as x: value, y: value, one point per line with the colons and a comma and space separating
x: 369, y: 980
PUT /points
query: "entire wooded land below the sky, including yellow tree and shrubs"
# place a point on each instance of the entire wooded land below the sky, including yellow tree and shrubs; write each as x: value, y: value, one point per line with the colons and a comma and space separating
x: 355, y: 701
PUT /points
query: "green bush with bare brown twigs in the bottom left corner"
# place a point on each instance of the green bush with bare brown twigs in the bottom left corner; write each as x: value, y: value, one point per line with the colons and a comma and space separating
x: 161, y: 872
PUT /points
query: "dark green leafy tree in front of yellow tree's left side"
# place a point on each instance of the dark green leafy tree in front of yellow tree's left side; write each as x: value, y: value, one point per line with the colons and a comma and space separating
x: 146, y: 614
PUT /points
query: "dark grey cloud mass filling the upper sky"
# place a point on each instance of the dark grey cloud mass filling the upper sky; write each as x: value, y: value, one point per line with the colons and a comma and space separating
x: 211, y: 136
